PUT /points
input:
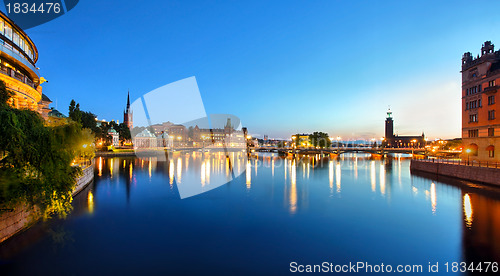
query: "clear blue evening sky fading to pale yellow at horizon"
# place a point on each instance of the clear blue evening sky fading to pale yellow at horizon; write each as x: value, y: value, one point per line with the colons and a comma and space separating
x: 281, y: 66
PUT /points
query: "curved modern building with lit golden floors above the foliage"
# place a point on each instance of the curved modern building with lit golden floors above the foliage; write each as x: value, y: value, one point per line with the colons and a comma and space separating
x: 18, y: 55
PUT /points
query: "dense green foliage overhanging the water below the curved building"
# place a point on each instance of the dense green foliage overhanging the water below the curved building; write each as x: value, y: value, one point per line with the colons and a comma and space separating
x: 37, y: 167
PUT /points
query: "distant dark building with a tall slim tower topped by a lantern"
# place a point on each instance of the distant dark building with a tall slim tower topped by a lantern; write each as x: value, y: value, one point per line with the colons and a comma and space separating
x: 396, y: 141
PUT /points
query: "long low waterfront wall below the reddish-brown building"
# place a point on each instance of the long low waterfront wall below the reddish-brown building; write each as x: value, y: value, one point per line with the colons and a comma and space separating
x: 471, y: 173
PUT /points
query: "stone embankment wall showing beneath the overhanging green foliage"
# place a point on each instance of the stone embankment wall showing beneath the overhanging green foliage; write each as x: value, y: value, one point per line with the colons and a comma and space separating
x: 14, y: 221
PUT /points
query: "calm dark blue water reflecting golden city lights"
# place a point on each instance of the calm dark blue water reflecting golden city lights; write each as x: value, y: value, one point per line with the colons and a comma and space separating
x: 131, y: 221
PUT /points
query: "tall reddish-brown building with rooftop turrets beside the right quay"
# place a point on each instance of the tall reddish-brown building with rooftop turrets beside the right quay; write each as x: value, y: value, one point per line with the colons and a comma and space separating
x: 480, y: 125
